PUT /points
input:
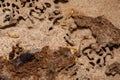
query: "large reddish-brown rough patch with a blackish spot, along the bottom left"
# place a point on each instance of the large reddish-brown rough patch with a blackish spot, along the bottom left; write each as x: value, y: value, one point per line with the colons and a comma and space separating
x: 46, y: 63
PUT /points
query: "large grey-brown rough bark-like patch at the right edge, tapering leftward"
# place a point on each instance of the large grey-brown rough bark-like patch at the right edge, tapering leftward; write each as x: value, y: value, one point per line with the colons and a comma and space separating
x: 105, y: 33
